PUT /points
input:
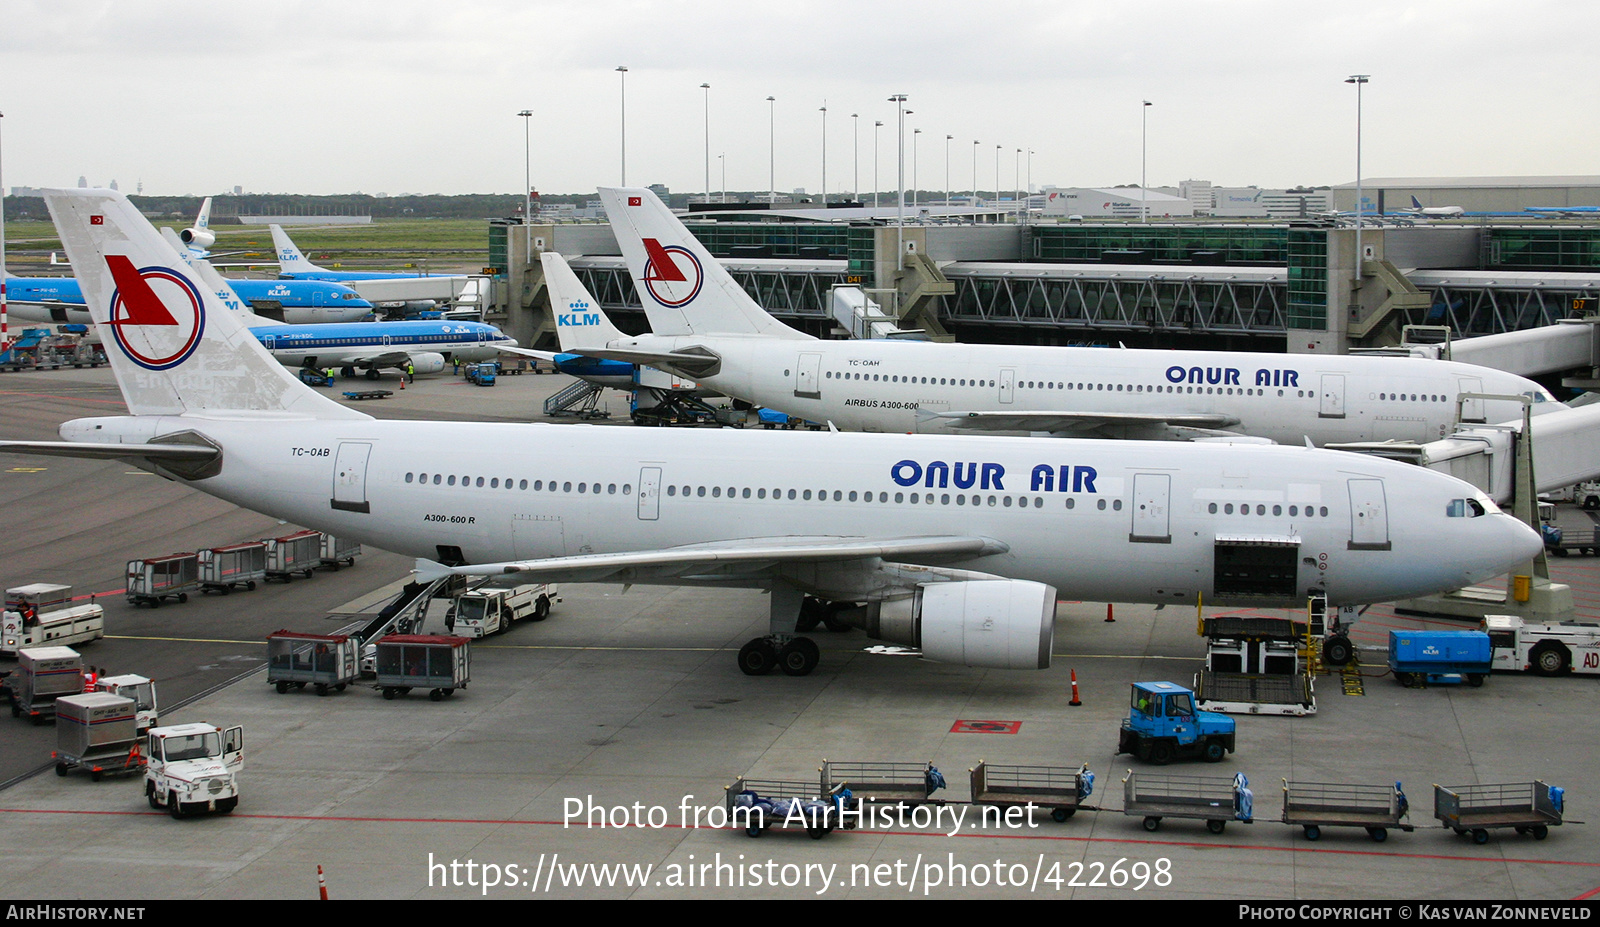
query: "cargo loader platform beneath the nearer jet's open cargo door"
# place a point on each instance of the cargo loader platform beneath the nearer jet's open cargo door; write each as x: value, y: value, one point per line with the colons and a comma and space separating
x: 1255, y: 667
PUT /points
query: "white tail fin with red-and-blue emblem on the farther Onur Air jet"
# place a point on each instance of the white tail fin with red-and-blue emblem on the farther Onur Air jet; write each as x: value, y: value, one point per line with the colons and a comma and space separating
x: 682, y: 287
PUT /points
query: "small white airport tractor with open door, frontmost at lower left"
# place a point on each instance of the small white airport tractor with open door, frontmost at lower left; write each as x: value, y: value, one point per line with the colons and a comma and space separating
x: 194, y: 768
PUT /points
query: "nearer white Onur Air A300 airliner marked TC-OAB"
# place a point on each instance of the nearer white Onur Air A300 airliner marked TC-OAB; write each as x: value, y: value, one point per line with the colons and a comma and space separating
x: 954, y: 545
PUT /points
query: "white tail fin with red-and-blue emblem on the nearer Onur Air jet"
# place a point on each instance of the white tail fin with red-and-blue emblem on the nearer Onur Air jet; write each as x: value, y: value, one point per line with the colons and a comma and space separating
x: 172, y: 343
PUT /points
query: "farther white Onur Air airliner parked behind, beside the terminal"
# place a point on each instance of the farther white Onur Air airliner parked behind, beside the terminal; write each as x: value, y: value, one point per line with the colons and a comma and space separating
x: 708, y: 329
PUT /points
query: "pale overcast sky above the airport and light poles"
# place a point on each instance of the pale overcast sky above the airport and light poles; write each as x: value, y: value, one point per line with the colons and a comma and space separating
x: 410, y: 97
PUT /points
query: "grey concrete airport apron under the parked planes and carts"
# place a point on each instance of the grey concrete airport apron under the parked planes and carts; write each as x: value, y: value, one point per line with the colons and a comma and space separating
x: 590, y: 755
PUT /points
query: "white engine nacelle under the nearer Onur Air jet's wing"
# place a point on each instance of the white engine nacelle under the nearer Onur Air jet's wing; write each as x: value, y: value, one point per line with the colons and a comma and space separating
x: 994, y: 624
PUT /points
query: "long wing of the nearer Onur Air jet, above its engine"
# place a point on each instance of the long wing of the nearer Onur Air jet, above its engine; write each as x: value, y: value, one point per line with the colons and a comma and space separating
x: 726, y: 560
